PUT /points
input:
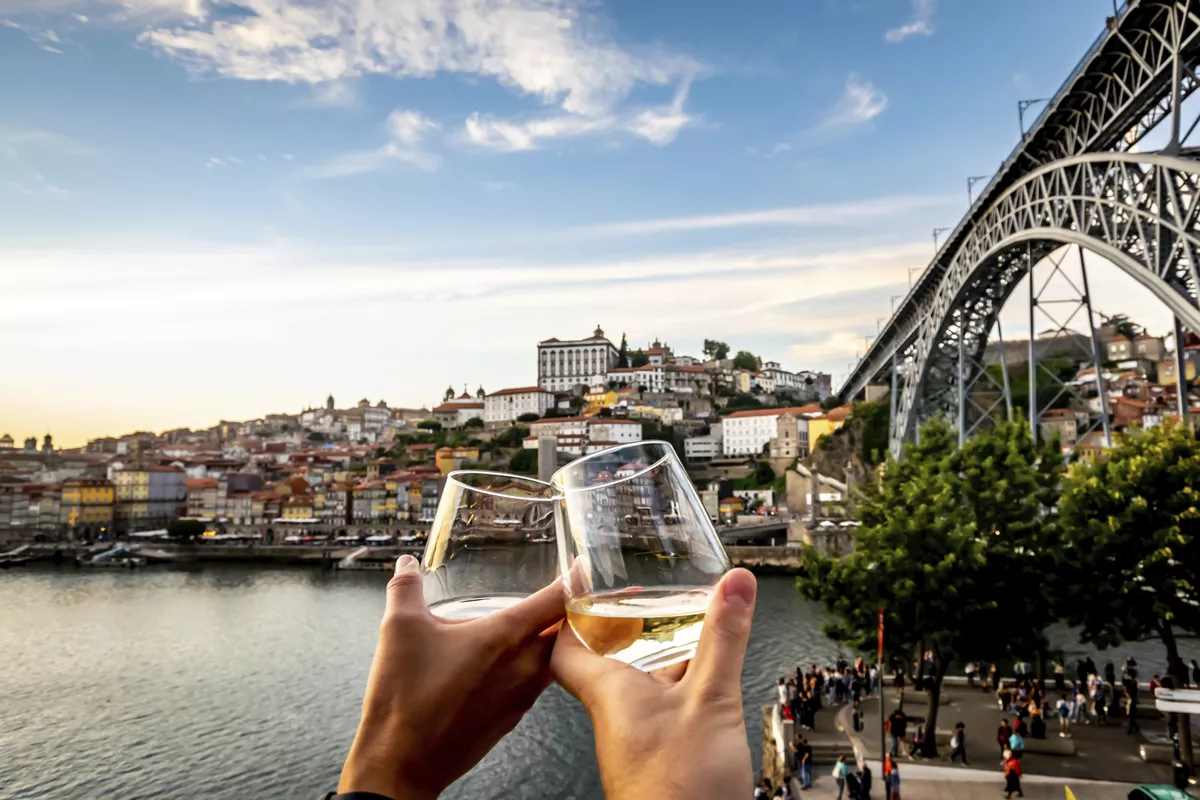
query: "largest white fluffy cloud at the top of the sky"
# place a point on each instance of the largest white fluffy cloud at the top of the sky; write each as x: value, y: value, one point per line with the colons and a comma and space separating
x: 548, y: 49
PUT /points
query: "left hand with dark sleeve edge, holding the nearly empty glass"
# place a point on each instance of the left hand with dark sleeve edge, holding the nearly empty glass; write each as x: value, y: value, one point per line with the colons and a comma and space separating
x: 442, y: 694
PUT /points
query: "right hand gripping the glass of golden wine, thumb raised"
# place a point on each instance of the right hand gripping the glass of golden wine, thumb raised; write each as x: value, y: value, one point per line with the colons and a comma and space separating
x: 679, y: 732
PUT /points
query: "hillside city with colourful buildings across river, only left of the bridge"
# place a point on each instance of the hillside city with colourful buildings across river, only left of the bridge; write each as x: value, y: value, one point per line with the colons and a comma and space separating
x: 375, y: 466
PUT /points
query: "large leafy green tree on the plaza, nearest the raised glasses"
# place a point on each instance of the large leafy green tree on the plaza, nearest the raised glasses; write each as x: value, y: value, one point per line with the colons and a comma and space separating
x: 946, y: 533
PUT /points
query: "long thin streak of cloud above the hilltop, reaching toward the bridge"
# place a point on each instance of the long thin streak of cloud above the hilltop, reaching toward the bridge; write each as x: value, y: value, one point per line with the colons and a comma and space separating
x: 796, y: 216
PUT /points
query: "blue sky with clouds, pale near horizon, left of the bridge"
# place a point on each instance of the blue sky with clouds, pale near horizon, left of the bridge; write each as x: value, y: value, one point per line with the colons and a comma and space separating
x: 215, y: 210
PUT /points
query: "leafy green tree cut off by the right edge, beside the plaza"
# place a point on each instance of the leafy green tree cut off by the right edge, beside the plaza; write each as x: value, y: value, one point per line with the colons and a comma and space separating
x: 1131, y: 548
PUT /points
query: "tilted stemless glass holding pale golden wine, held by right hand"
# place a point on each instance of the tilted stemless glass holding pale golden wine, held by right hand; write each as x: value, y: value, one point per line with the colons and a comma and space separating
x: 639, y: 555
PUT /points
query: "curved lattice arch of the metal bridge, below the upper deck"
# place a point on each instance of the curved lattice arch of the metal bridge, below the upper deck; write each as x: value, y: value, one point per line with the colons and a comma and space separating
x: 1141, y: 212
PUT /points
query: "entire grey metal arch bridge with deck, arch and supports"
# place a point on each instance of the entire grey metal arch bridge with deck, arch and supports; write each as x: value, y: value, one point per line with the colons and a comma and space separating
x: 1075, y: 179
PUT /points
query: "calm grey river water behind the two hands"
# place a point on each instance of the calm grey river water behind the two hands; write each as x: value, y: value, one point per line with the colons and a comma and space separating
x: 230, y: 683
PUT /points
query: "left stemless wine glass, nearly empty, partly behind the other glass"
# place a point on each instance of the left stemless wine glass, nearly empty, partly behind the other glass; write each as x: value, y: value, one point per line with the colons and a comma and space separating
x: 493, y: 544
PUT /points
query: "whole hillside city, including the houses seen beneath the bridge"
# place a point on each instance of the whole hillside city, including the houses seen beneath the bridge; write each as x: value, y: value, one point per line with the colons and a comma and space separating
x: 746, y: 428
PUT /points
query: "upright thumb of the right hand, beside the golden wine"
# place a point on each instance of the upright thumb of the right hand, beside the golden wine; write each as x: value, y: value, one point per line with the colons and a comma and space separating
x: 722, y: 652
